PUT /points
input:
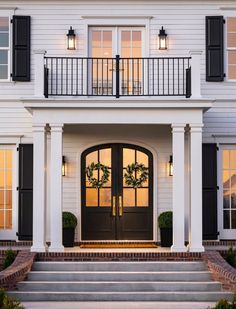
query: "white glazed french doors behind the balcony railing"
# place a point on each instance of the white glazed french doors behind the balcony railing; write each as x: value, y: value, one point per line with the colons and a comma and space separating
x: 106, y: 43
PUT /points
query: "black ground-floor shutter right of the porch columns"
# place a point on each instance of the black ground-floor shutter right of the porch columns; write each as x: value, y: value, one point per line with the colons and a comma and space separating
x: 209, y: 182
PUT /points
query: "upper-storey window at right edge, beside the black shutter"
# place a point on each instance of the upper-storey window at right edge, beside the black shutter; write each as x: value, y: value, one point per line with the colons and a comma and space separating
x: 231, y: 47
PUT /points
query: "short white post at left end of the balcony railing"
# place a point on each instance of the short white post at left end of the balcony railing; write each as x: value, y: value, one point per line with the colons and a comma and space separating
x: 39, y: 73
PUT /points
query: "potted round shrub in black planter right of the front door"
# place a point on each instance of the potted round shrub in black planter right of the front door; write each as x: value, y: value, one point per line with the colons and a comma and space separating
x: 165, y: 222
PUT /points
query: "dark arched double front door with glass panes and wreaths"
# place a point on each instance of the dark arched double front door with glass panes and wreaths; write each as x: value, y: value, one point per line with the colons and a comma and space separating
x: 117, y: 189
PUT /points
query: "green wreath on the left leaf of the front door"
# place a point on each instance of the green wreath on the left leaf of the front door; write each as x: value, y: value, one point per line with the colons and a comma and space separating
x: 96, y: 183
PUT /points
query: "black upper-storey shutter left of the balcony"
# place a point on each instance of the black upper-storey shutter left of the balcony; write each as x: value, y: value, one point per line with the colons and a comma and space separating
x: 21, y: 48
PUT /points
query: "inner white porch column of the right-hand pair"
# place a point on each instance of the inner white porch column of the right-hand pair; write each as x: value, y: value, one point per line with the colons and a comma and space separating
x: 178, y: 187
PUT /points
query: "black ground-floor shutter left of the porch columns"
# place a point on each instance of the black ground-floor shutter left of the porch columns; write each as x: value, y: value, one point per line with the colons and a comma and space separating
x: 25, y: 192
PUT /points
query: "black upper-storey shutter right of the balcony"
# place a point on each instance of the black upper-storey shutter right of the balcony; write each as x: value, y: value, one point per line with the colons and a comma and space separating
x: 214, y: 49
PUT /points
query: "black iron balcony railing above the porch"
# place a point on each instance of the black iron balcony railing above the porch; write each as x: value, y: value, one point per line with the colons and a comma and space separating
x: 117, y: 76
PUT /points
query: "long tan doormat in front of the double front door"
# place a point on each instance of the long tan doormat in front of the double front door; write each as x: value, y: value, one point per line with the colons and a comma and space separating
x: 117, y: 245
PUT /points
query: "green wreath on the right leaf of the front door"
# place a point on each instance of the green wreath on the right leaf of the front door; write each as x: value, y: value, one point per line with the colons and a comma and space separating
x: 130, y: 179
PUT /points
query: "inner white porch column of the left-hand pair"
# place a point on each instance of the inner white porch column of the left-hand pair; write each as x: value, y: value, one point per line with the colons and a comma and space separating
x: 56, y: 189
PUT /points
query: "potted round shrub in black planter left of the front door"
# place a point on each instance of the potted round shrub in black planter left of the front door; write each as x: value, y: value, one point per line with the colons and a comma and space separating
x: 69, y: 223
